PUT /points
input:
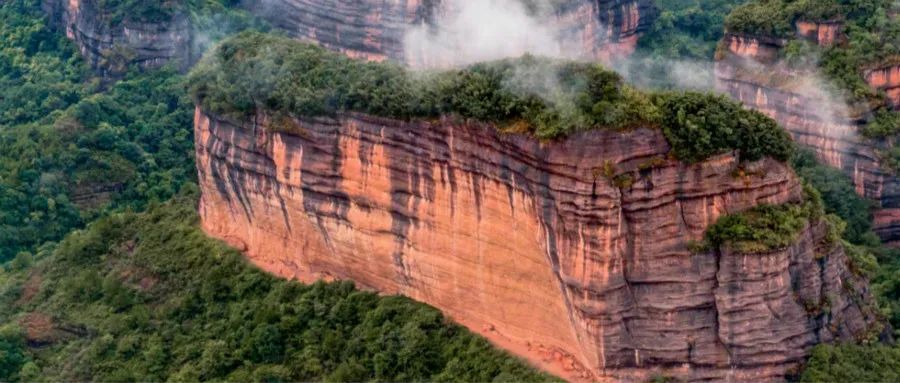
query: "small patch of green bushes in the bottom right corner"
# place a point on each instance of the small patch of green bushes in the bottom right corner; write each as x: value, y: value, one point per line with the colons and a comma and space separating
x: 852, y: 363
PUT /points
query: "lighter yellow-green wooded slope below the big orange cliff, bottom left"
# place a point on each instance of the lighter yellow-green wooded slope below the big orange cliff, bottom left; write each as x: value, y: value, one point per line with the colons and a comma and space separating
x: 164, y: 302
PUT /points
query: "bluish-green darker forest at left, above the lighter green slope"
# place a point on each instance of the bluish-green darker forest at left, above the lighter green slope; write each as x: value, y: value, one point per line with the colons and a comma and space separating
x: 70, y: 150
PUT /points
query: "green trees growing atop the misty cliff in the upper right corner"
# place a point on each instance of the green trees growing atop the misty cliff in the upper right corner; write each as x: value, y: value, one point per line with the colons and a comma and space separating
x: 870, y: 39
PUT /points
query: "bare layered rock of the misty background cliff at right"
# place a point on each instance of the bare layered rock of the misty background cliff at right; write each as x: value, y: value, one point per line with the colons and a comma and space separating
x: 749, y: 69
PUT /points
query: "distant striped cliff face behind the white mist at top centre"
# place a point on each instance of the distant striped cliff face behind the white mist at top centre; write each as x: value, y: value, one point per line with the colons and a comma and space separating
x: 374, y: 29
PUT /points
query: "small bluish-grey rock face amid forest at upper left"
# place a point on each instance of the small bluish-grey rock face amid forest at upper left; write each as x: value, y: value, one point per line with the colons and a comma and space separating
x: 112, y: 48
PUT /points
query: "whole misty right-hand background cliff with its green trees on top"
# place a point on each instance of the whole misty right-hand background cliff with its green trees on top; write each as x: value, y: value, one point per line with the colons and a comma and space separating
x: 757, y: 63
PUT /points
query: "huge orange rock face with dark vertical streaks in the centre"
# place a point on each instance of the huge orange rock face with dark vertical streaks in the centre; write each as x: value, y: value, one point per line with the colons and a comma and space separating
x: 574, y: 253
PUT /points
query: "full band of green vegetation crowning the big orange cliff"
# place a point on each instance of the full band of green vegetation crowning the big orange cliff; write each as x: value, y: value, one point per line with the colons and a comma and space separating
x: 255, y: 72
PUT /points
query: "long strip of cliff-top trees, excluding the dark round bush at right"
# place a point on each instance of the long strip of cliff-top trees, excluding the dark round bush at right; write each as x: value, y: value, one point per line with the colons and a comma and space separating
x: 256, y: 71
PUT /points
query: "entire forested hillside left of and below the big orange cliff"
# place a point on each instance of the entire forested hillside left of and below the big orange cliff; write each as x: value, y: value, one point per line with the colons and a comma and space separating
x: 130, y: 296
